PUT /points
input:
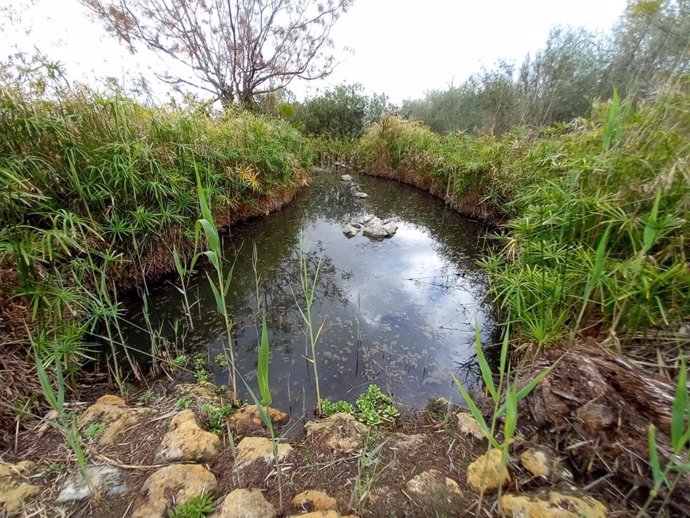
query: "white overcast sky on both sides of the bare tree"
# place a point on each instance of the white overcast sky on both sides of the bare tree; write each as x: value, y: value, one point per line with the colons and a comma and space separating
x: 400, y: 47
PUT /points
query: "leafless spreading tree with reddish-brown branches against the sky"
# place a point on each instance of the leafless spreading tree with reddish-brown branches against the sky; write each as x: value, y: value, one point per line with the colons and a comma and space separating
x: 236, y: 49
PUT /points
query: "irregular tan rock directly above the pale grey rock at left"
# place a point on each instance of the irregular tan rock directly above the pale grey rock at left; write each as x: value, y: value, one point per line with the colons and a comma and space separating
x: 114, y: 413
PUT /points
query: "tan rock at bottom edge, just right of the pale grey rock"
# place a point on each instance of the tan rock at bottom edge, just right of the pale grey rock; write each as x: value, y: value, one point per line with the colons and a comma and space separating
x: 177, y: 484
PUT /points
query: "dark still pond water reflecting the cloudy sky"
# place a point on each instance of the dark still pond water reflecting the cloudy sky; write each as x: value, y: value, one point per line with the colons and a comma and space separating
x: 399, y: 312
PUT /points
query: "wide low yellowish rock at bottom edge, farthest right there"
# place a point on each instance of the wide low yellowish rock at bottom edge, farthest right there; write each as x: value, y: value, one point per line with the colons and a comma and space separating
x: 551, y: 505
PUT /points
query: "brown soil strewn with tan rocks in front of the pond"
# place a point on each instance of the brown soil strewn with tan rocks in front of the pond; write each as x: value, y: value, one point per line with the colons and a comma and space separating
x: 144, y: 460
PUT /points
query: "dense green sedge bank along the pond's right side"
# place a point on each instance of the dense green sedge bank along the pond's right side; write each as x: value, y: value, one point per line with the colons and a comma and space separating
x: 595, y: 213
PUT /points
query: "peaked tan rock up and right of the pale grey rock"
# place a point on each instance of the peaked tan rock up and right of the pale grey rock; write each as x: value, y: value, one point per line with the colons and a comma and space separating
x: 187, y: 441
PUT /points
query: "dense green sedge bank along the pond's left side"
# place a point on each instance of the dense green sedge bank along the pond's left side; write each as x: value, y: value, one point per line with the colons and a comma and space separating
x: 98, y: 191
